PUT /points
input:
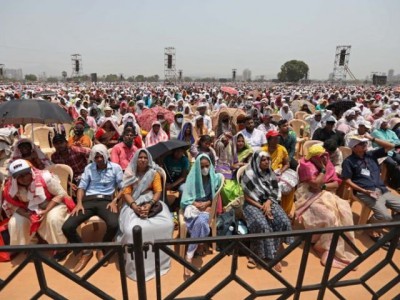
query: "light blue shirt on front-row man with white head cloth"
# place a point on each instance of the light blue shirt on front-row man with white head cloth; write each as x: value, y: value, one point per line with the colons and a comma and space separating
x: 101, y: 182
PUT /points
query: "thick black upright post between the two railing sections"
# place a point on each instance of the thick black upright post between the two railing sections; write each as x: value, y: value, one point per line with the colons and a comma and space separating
x: 139, y: 262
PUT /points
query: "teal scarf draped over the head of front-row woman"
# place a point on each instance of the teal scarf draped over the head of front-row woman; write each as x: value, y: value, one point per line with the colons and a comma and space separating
x: 194, y: 182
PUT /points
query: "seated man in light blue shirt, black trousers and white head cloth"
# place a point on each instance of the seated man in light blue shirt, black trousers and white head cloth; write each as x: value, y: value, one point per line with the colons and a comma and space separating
x: 95, y: 198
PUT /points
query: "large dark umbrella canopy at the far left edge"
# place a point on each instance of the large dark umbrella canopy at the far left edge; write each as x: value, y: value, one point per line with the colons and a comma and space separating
x: 32, y: 111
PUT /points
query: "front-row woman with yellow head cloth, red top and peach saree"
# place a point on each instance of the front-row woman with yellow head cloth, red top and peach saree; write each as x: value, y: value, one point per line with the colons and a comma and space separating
x: 317, y: 205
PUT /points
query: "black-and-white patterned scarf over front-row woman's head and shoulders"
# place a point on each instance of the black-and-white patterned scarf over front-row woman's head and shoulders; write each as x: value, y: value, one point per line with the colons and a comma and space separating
x: 258, y: 184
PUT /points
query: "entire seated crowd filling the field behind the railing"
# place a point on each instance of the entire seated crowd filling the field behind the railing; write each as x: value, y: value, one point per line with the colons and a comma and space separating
x: 116, y: 178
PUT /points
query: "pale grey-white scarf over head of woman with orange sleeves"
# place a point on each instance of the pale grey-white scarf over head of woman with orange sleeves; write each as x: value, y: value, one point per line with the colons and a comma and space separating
x: 140, y: 184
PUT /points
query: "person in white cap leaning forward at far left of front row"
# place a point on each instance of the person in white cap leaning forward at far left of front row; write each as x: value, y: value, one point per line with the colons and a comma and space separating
x: 35, y: 201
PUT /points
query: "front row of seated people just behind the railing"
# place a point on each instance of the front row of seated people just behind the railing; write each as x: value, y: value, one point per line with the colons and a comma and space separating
x: 141, y: 189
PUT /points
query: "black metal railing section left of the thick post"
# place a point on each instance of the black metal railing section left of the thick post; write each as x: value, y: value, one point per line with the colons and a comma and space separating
x: 37, y: 255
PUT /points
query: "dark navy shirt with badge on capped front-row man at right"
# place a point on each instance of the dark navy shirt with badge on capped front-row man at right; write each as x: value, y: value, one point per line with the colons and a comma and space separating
x: 353, y: 165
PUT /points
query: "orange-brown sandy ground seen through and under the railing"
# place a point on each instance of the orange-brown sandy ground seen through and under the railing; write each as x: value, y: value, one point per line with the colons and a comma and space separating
x: 25, y: 285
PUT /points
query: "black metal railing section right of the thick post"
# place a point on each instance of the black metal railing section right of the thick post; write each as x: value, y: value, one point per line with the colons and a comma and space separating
x: 302, y: 237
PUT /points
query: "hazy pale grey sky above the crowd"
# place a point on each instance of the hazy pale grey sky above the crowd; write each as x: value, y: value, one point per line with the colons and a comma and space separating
x: 211, y: 37
